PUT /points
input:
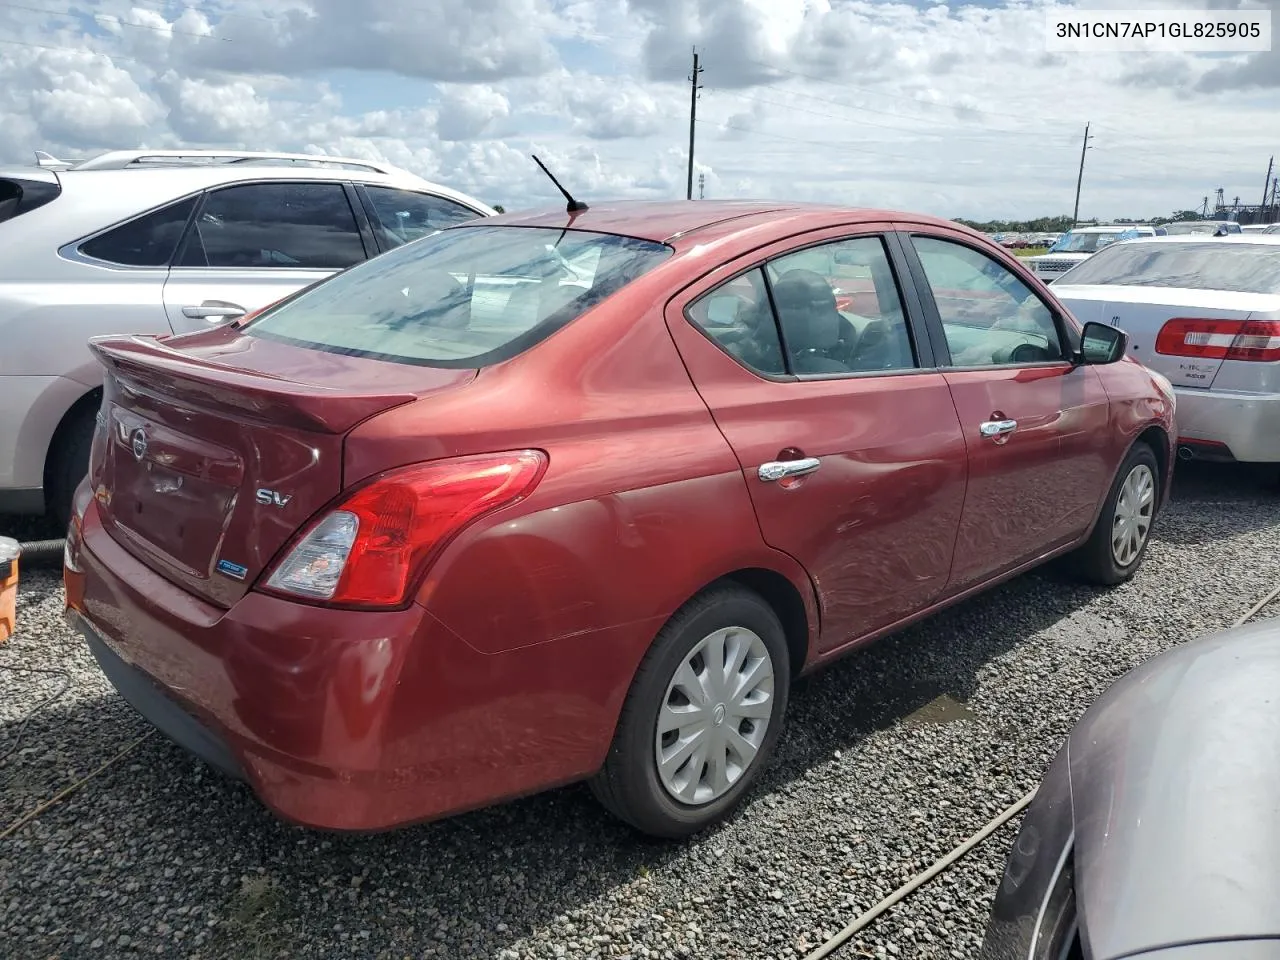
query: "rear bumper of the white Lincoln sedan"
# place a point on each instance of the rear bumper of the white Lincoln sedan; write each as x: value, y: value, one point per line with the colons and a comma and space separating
x: 1246, y: 424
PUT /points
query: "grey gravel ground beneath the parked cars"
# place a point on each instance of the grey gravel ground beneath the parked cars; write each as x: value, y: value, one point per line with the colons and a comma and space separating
x: 892, y: 758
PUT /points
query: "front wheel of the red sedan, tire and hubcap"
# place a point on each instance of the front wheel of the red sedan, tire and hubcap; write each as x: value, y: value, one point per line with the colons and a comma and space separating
x: 1119, y: 542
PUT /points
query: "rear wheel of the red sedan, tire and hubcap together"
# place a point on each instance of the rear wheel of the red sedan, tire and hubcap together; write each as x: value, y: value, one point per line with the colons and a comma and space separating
x: 702, y: 719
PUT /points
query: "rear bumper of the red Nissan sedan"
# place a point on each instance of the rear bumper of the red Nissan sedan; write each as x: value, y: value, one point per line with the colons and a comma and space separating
x: 340, y: 720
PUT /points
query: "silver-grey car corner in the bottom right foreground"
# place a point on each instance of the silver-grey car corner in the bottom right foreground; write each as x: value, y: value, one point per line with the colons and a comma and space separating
x: 1153, y: 835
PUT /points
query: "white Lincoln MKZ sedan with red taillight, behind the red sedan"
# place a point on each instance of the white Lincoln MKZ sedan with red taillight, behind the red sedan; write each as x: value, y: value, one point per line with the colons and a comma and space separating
x: 1206, y: 314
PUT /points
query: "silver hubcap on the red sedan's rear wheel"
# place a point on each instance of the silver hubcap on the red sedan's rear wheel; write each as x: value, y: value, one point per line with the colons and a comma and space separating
x: 714, y: 720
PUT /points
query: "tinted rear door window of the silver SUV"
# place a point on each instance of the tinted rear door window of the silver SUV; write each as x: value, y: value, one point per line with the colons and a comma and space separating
x: 303, y: 226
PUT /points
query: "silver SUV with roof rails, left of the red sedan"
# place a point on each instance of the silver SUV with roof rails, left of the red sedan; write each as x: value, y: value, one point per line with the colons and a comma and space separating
x: 158, y: 243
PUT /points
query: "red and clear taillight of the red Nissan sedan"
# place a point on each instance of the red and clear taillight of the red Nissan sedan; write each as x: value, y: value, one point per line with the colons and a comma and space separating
x: 372, y: 548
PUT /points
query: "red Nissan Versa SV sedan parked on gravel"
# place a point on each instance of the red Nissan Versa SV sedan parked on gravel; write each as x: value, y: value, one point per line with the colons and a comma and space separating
x: 575, y: 496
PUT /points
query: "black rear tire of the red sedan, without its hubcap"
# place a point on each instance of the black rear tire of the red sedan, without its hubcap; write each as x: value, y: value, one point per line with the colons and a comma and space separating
x: 629, y: 784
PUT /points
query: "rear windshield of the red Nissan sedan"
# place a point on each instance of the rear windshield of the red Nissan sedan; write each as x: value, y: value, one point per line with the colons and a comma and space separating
x: 464, y: 298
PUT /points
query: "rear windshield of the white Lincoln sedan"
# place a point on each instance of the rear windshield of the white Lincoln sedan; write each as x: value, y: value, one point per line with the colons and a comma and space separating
x: 1203, y: 266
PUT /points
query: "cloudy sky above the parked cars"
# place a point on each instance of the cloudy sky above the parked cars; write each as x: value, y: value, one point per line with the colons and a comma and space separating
x: 956, y: 111
